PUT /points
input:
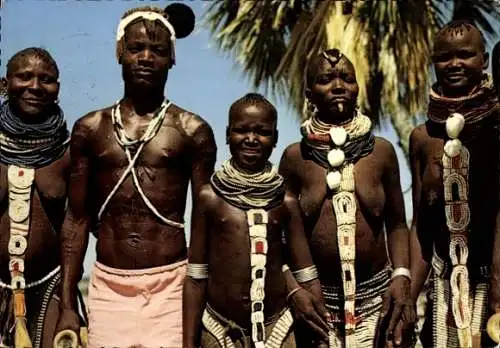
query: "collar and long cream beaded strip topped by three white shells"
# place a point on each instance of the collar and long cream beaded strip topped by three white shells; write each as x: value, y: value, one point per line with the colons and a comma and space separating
x: 340, y: 180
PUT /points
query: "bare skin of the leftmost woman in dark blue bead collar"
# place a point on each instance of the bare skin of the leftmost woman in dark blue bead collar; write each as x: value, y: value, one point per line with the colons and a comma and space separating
x: 32, y: 88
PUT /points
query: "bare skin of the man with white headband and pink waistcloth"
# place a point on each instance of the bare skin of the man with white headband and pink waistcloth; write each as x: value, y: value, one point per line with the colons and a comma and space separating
x: 130, y: 236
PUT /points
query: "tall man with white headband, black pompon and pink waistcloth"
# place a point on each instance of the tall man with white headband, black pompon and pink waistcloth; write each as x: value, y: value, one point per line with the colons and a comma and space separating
x: 131, y: 166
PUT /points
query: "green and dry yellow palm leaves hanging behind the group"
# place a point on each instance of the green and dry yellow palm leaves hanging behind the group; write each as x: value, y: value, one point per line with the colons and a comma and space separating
x: 389, y: 43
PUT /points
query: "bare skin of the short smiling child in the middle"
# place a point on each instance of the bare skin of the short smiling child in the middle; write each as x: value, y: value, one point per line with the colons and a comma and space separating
x: 219, y: 237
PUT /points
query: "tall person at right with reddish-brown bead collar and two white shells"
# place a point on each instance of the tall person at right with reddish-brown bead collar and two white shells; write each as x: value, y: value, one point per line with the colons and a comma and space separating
x: 454, y: 159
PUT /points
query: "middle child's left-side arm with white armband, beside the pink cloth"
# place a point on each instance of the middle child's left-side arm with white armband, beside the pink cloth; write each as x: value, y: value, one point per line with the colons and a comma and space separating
x: 196, y: 282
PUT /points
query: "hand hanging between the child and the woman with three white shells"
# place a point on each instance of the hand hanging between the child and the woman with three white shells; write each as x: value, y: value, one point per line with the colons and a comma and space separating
x: 311, y: 310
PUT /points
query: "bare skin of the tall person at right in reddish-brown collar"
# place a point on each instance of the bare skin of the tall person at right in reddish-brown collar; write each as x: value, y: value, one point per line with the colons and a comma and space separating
x: 459, y: 62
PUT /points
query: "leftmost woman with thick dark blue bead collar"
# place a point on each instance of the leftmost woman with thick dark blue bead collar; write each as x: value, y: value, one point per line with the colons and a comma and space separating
x: 34, y: 173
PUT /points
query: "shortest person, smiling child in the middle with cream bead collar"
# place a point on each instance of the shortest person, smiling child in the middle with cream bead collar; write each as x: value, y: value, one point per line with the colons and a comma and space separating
x: 236, y: 290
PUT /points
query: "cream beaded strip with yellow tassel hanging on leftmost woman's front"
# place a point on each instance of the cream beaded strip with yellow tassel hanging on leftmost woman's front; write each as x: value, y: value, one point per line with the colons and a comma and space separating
x: 20, y: 182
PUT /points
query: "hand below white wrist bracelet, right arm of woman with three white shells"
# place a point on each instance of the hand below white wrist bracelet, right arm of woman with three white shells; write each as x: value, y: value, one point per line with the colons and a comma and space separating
x: 398, y: 314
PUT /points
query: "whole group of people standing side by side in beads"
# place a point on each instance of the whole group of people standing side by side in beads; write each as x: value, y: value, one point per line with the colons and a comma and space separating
x: 315, y: 252
